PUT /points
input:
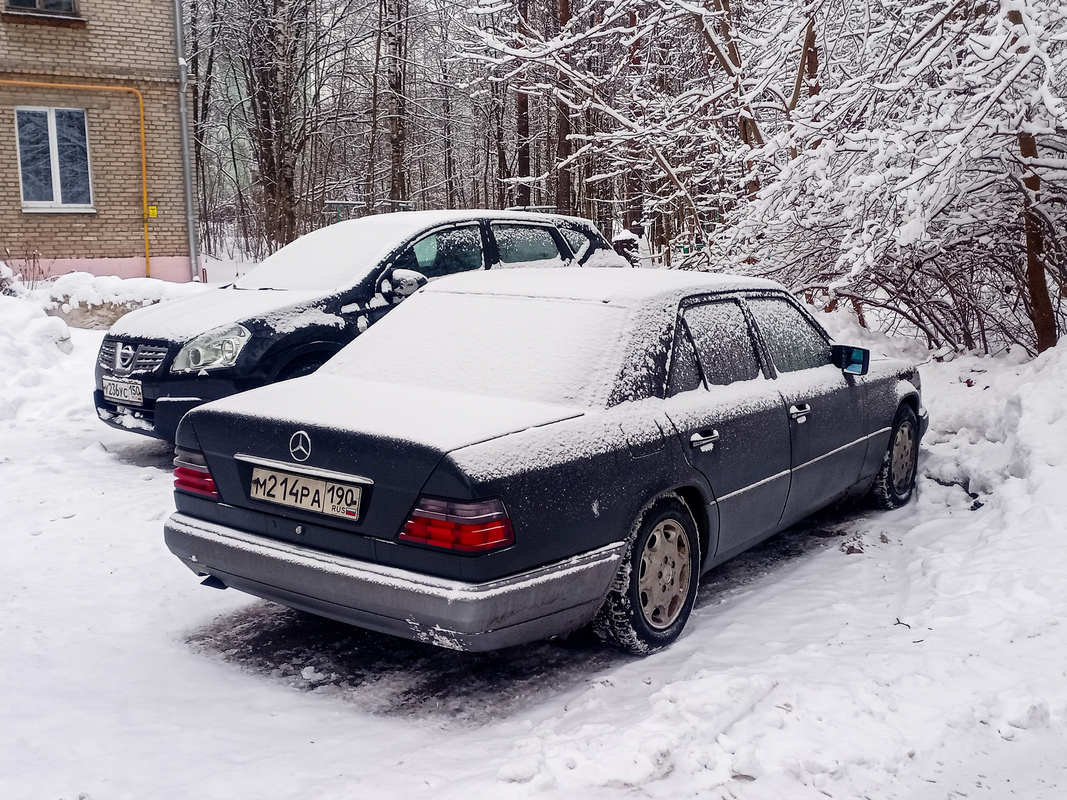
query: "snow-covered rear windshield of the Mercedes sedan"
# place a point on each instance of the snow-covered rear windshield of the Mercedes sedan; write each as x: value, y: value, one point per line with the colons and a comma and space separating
x: 555, y: 351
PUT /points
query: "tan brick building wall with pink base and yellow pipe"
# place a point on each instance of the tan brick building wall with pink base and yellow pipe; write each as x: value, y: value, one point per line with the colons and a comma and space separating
x: 113, y: 47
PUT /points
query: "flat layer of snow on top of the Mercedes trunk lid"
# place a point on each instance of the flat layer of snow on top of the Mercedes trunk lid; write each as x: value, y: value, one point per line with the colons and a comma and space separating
x: 444, y: 421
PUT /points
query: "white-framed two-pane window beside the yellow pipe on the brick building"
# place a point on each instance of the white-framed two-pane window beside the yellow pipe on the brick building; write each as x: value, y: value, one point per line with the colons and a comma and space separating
x: 54, y: 159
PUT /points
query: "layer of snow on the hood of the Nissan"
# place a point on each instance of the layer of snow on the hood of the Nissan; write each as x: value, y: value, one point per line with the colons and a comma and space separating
x: 182, y: 321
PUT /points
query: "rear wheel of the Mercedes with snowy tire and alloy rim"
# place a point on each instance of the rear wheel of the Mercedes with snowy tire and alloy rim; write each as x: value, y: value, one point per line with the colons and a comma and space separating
x: 656, y: 588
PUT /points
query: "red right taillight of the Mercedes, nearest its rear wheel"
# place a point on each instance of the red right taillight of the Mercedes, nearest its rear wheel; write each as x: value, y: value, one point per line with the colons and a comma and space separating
x: 476, y: 526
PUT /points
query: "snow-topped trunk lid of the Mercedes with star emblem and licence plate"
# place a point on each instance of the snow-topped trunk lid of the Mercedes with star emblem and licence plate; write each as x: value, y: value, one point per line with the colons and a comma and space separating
x: 359, y: 456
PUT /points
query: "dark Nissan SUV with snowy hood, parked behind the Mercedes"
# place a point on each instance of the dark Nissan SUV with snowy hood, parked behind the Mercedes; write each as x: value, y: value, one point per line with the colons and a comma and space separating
x: 305, y: 303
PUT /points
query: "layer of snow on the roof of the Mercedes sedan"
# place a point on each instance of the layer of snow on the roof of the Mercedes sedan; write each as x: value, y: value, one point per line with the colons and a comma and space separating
x: 626, y: 287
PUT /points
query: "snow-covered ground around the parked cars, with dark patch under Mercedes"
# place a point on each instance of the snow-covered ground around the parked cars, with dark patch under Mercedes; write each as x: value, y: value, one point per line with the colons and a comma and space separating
x: 915, y: 654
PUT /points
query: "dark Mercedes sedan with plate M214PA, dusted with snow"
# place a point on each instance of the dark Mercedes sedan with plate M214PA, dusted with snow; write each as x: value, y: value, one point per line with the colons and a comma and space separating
x: 512, y: 456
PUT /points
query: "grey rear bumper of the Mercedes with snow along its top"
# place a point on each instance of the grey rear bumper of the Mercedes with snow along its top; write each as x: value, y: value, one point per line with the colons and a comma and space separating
x: 539, y: 604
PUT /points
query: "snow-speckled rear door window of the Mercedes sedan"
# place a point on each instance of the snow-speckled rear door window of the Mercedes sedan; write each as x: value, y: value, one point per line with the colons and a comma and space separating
x: 724, y: 343
